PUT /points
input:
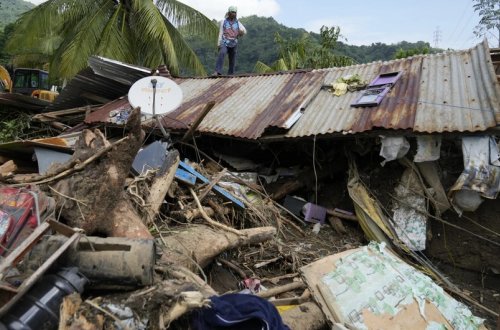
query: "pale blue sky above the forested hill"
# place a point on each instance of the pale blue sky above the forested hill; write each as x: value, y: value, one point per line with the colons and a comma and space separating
x: 445, y: 23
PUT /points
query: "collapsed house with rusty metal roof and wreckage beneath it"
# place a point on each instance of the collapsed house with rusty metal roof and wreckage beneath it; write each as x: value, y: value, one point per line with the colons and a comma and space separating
x: 403, y: 151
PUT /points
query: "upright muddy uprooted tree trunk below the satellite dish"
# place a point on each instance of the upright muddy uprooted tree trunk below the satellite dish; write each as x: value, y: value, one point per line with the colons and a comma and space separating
x: 93, y: 198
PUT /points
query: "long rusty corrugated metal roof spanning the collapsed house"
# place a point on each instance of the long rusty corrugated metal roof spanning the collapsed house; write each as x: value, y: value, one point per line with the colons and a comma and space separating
x: 455, y: 91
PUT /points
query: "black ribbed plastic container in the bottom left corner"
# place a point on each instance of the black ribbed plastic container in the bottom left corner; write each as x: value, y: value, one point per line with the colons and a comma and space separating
x: 38, y: 309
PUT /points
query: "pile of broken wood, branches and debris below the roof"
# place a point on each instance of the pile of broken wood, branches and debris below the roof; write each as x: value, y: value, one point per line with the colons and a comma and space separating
x: 116, y: 224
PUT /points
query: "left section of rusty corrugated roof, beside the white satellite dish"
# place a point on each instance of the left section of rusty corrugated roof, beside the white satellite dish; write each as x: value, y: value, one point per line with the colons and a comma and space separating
x: 245, y: 106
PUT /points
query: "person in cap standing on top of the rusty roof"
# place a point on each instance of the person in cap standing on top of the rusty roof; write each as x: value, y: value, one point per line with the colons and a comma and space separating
x: 227, y: 43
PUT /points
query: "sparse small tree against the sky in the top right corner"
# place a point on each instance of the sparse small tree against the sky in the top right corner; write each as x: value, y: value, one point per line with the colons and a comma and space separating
x: 489, y: 11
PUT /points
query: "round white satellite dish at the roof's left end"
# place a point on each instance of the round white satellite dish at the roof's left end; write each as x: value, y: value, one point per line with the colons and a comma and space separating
x: 155, y: 95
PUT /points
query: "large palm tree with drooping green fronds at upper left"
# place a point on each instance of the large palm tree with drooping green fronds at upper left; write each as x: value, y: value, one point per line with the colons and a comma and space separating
x: 141, y: 32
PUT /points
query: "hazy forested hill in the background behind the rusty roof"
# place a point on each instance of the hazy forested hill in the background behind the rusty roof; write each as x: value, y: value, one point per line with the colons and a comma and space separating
x: 259, y: 45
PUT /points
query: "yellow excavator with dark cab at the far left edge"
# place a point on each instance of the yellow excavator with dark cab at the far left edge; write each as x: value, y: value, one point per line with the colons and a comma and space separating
x: 31, y: 82
